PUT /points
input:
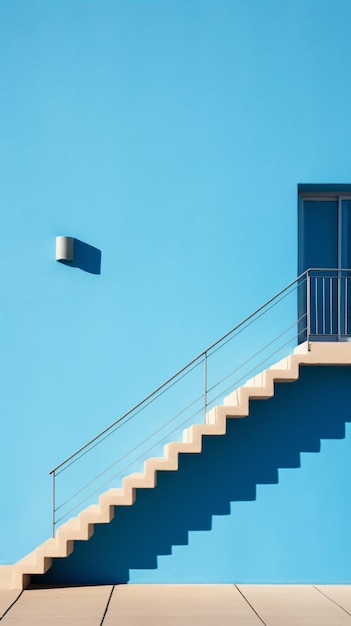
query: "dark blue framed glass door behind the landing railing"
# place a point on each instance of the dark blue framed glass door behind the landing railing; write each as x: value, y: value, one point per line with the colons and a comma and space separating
x: 324, y: 246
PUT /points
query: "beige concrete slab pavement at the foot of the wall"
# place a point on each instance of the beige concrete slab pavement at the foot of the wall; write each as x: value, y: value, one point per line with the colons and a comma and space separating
x: 179, y: 605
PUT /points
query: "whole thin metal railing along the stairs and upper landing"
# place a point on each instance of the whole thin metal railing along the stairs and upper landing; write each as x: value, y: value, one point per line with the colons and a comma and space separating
x: 312, y: 308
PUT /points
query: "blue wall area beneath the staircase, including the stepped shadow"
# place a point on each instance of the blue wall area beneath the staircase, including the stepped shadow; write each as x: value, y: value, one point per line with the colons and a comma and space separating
x: 269, y: 502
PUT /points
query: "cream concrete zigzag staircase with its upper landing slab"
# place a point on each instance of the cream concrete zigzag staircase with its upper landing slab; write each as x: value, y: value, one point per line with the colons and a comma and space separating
x: 235, y: 405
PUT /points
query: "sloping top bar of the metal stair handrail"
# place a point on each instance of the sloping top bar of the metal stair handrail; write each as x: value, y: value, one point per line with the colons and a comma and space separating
x: 185, y: 367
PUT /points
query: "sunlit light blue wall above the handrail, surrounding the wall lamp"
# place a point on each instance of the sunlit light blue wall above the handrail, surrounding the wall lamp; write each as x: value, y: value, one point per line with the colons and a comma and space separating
x: 172, y: 137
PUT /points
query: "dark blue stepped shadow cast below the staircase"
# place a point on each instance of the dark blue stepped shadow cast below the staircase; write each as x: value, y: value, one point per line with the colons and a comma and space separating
x: 229, y: 469
